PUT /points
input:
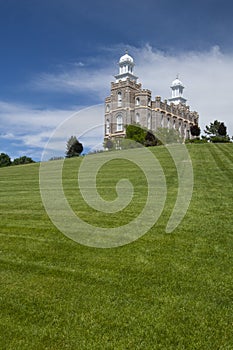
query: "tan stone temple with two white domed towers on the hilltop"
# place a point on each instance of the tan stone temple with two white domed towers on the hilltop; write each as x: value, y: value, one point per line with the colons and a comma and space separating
x: 130, y: 104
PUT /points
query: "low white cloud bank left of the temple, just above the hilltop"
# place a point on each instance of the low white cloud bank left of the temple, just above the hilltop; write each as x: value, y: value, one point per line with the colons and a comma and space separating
x: 30, y: 129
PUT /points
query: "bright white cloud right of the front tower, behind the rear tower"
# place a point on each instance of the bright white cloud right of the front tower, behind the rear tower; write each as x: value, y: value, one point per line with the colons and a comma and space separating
x: 207, y: 77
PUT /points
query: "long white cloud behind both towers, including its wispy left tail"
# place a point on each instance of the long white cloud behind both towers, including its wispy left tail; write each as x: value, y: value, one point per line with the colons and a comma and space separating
x: 207, y: 77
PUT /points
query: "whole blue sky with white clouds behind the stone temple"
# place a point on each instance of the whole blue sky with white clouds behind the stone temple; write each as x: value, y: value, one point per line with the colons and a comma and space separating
x: 59, y: 56
